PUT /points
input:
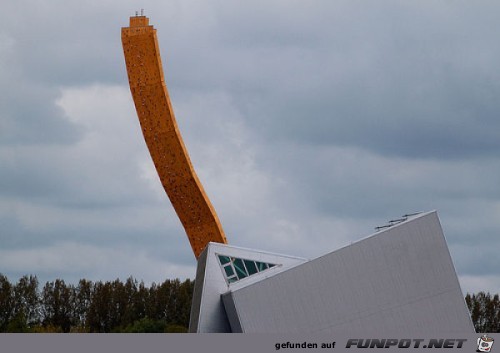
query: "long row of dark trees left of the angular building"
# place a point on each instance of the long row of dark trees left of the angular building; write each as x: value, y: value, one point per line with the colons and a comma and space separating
x: 111, y: 306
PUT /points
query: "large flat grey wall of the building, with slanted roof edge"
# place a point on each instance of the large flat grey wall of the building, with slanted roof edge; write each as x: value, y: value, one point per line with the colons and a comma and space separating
x: 401, y: 279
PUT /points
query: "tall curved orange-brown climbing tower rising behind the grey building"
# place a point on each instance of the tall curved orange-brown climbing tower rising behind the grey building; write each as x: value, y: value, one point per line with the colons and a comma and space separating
x: 164, y: 141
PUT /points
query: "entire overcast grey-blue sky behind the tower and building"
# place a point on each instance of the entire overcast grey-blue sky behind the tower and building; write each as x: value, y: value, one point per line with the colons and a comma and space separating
x: 309, y: 123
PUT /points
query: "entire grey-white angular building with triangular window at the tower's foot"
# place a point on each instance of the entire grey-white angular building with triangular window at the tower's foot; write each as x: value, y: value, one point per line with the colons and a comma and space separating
x: 400, y: 279
